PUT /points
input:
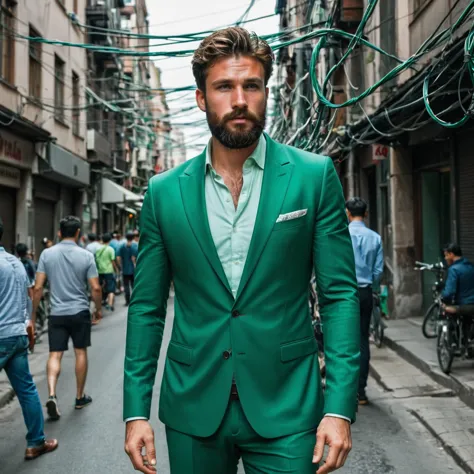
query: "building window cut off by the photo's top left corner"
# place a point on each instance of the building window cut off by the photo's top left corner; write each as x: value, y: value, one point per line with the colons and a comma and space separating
x: 7, y: 42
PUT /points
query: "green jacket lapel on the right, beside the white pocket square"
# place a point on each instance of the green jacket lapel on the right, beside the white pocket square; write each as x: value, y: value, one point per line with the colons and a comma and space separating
x: 276, y: 178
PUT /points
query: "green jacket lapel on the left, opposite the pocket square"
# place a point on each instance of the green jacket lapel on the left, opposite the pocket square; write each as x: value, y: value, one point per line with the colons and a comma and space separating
x: 193, y: 195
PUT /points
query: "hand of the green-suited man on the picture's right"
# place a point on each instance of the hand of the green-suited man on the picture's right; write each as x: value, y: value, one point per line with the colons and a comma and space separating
x: 336, y: 433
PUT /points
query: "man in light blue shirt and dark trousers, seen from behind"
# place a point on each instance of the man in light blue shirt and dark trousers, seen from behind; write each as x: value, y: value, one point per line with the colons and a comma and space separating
x: 368, y: 254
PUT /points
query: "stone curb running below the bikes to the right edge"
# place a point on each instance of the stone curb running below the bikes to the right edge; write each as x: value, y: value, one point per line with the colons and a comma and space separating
x: 464, y: 392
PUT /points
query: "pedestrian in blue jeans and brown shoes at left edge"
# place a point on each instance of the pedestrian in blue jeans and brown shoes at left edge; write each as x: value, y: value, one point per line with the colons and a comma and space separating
x: 14, y: 344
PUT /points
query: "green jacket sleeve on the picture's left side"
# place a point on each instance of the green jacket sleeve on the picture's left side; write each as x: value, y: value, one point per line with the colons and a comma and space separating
x: 146, y: 314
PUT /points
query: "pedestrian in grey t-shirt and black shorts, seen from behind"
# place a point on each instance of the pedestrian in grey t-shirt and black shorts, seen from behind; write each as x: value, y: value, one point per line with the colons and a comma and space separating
x: 68, y: 268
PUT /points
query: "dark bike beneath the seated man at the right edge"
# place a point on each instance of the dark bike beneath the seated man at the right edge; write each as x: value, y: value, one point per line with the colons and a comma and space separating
x: 455, y: 335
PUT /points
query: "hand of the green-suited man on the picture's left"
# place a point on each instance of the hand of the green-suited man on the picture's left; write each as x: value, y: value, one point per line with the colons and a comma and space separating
x: 139, y: 434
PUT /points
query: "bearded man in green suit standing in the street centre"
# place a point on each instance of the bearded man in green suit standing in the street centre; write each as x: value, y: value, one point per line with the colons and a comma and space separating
x: 239, y: 229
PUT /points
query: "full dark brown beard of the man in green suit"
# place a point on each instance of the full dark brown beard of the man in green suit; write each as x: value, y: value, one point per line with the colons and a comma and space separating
x: 236, y: 139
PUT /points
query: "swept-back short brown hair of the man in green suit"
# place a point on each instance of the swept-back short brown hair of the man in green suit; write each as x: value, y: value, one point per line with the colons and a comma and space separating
x: 233, y: 41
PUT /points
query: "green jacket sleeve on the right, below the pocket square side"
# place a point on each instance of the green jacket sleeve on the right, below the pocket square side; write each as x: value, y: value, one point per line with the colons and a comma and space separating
x: 338, y: 297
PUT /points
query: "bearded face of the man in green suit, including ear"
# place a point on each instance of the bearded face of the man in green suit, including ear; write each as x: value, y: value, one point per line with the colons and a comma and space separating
x: 235, y: 101
